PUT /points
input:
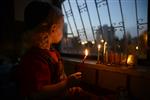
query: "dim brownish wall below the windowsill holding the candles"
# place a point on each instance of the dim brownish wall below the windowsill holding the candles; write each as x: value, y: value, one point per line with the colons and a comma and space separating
x: 135, y: 81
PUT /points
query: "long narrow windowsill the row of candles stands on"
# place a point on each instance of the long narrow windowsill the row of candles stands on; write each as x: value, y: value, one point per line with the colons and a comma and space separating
x: 143, y: 71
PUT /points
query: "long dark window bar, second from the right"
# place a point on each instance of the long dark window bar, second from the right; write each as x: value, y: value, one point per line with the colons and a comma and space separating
x: 123, y: 28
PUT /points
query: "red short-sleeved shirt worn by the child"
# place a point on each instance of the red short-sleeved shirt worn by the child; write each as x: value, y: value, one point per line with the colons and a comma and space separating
x: 34, y: 71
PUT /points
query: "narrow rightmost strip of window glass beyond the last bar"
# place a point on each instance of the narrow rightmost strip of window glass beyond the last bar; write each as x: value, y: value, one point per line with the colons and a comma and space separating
x: 142, y: 9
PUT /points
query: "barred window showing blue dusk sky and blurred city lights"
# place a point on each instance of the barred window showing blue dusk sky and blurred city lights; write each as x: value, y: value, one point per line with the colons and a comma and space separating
x: 119, y: 26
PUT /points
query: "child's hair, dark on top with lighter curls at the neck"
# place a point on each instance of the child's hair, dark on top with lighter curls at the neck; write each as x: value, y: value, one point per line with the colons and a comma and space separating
x: 39, y: 17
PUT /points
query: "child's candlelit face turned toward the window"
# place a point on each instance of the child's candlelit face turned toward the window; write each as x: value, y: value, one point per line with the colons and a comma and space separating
x: 57, y: 31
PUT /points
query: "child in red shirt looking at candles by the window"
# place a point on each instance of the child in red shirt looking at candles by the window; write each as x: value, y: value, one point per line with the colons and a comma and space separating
x: 41, y: 73
